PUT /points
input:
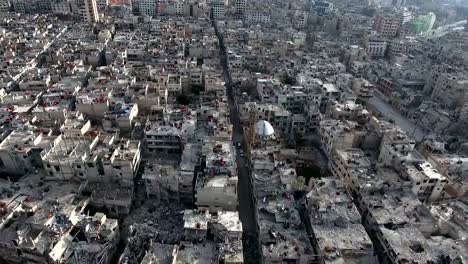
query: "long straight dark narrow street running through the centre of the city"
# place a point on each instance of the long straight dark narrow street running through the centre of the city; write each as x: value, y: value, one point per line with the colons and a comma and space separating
x: 247, y: 211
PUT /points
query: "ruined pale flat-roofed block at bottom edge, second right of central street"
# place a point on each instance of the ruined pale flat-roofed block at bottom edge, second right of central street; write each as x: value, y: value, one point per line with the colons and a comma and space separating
x: 336, y: 225
